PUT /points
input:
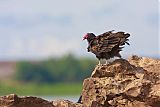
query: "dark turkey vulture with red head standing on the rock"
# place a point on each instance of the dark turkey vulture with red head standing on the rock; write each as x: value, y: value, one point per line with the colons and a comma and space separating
x: 106, y: 45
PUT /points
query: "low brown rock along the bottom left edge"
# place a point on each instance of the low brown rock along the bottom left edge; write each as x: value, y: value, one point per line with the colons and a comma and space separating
x: 13, y: 100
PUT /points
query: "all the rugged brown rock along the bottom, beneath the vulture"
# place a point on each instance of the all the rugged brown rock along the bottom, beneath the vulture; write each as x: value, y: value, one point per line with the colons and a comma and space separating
x: 122, y: 83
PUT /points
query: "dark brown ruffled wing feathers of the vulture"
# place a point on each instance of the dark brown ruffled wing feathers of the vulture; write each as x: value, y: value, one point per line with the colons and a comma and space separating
x: 108, y: 40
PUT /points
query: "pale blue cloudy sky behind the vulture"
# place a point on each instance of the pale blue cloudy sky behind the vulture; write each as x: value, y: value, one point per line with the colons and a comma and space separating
x: 37, y: 29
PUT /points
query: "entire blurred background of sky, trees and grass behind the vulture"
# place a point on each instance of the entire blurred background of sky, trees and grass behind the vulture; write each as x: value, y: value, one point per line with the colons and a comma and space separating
x: 41, y: 47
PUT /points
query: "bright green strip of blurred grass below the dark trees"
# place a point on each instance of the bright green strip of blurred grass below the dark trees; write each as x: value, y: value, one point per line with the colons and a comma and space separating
x: 40, y: 89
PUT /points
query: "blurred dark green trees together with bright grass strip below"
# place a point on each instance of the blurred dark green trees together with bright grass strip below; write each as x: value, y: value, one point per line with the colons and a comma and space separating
x: 56, y: 76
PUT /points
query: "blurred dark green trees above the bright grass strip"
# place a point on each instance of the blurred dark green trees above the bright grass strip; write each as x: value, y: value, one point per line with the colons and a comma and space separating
x: 64, y: 69
